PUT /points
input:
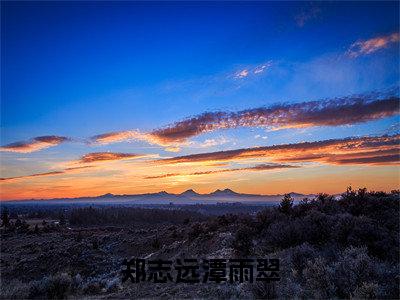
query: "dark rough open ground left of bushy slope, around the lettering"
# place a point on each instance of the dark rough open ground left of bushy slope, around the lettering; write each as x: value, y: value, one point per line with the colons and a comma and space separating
x: 87, y: 261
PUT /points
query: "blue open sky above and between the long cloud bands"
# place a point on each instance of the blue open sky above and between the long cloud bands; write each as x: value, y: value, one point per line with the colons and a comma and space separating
x: 81, y: 69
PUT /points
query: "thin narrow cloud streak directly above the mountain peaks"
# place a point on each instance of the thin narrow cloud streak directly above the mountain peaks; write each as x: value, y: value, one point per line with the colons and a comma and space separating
x: 260, y: 167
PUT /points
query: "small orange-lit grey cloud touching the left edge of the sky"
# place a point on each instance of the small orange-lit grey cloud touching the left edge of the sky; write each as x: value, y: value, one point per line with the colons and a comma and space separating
x: 36, y: 144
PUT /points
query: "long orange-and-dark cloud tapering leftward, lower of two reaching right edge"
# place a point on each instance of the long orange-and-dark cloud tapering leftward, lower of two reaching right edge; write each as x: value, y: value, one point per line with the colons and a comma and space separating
x: 335, y: 151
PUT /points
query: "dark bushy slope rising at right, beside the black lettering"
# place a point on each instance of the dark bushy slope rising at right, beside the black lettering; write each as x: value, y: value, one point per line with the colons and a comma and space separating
x: 329, y: 248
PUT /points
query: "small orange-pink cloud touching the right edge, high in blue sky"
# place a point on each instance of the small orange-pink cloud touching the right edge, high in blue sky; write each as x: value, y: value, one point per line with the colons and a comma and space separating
x: 365, y: 47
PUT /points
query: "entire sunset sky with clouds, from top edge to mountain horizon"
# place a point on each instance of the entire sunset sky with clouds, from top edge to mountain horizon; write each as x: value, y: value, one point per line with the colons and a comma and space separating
x: 141, y: 97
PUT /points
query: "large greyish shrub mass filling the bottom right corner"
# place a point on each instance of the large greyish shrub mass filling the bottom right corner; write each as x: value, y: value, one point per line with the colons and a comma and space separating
x: 353, y: 273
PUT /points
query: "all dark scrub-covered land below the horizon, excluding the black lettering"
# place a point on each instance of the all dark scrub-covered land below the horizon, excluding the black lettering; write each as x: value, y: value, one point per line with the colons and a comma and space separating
x: 329, y: 247
